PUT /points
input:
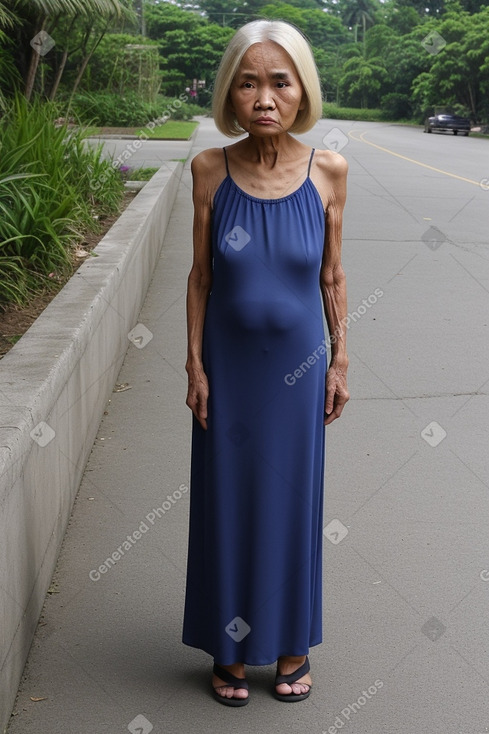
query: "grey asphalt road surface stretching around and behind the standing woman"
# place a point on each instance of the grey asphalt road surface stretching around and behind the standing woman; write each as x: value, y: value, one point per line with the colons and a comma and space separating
x: 406, y: 547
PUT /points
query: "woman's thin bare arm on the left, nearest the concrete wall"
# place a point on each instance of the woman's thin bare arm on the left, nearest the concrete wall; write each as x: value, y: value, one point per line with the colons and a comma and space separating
x: 199, y: 286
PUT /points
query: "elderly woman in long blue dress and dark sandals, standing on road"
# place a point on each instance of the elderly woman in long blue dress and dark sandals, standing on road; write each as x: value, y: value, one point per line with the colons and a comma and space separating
x: 267, y: 265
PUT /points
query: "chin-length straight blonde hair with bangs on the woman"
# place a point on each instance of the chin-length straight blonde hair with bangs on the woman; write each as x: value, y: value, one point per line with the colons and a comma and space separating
x: 295, y: 44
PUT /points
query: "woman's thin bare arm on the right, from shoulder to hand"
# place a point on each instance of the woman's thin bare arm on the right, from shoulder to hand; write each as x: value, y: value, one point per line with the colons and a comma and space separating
x: 333, y: 287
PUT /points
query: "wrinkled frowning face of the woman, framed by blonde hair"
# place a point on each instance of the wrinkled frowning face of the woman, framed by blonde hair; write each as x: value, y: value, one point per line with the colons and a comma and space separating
x: 266, y: 93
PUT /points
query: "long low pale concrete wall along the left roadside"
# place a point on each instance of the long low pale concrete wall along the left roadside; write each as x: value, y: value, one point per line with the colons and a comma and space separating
x: 54, y: 385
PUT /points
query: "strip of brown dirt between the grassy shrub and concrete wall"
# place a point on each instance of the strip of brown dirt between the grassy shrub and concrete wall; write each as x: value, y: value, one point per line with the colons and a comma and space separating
x: 15, y: 320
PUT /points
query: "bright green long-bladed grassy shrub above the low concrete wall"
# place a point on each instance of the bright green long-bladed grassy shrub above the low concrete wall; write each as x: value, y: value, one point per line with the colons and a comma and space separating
x: 48, y: 177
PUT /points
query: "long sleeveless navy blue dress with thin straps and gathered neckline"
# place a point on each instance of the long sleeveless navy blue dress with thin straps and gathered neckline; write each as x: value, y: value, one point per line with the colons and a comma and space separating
x: 256, y: 494
